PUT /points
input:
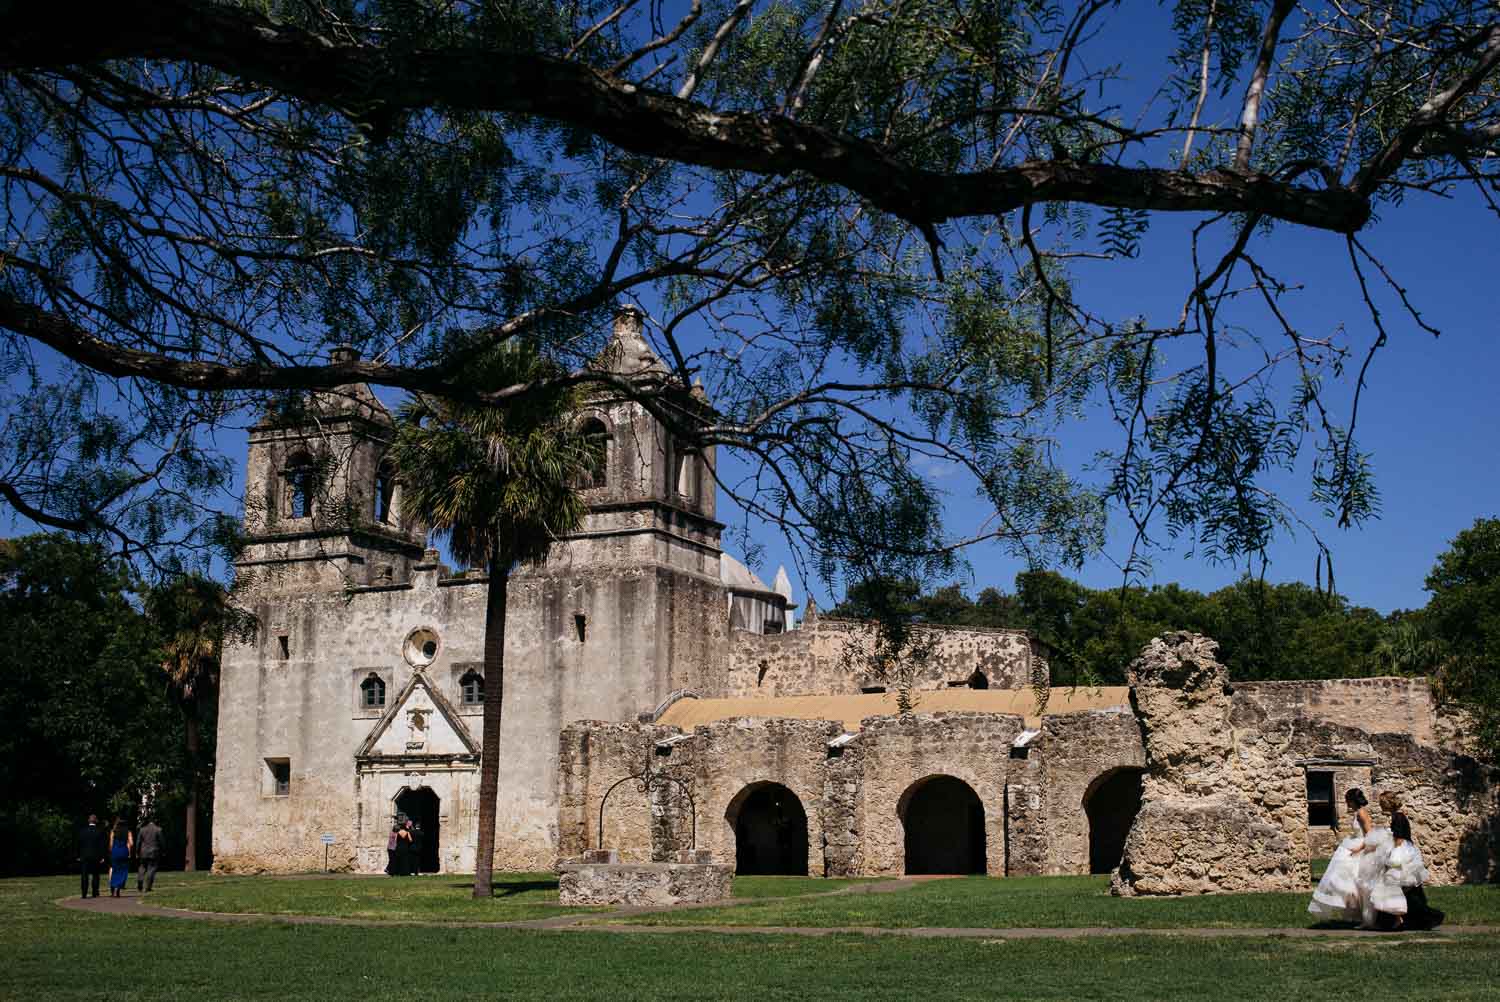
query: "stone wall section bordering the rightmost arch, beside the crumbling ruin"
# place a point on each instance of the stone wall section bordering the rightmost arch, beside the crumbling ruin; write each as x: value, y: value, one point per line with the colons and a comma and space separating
x: 1078, y: 752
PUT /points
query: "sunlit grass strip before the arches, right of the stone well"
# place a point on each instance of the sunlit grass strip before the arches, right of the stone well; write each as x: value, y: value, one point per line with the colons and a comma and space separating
x: 1051, y: 902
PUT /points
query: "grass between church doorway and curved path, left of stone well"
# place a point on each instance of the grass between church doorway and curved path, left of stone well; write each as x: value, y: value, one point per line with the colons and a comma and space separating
x: 440, y: 898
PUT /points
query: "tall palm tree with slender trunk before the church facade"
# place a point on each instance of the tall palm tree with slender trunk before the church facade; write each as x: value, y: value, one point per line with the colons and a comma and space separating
x: 503, y: 485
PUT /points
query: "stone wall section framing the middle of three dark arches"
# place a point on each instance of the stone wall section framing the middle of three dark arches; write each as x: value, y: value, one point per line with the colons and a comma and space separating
x: 901, y: 752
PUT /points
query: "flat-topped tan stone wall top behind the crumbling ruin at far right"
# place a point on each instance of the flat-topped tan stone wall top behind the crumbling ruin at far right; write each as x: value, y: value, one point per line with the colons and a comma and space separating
x: 1379, y: 706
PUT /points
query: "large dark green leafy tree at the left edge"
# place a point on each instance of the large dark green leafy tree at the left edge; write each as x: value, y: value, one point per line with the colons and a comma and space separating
x: 92, y: 725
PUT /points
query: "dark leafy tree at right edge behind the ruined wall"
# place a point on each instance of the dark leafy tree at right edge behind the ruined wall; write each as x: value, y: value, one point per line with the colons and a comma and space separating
x: 1465, y: 613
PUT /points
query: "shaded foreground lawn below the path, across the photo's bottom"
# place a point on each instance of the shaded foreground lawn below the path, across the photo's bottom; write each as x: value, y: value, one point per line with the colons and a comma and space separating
x: 59, y: 955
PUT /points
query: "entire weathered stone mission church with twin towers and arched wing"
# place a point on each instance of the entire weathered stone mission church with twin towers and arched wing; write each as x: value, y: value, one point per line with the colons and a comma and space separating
x: 641, y: 646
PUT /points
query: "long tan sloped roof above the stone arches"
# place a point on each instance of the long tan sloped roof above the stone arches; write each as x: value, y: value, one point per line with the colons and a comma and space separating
x: 853, y: 709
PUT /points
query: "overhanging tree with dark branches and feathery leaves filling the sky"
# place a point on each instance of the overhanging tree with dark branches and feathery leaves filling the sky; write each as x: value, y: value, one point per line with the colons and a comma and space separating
x: 853, y: 221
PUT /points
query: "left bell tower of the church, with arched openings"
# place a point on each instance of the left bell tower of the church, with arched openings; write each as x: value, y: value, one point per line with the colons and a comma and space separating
x: 322, y: 502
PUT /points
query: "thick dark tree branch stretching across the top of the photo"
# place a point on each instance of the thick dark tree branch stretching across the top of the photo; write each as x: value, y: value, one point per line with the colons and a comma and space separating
x: 365, y: 80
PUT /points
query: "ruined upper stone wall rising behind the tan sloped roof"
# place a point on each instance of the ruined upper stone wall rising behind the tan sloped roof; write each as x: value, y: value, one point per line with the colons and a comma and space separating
x: 812, y: 661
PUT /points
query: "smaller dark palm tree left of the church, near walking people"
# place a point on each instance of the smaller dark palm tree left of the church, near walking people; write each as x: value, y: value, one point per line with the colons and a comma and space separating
x: 193, y: 616
